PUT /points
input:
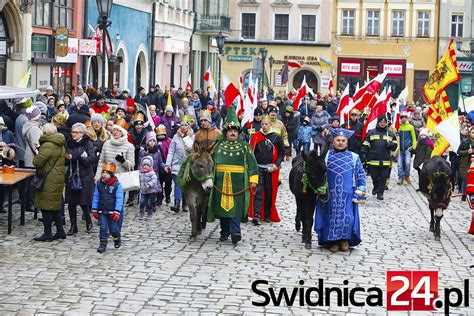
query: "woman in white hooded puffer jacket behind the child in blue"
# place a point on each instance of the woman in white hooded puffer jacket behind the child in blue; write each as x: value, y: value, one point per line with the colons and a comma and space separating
x: 117, y: 150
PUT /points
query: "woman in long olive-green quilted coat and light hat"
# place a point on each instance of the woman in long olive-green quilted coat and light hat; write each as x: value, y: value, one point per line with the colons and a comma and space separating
x: 50, y: 161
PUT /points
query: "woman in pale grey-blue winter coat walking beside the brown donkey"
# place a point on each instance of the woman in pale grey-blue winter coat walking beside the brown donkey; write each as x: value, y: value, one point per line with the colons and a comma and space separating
x: 180, y: 147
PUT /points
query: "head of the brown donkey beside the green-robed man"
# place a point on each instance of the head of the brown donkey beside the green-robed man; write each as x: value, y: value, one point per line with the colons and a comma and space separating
x: 203, y: 166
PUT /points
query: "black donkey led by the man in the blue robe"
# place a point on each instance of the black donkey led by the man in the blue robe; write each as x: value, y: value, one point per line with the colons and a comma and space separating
x: 308, y: 173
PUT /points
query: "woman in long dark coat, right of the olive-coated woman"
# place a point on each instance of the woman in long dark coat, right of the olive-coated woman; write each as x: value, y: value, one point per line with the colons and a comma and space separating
x: 81, y: 156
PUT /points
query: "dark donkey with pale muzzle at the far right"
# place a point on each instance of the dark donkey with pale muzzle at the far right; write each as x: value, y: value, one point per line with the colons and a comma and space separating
x: 436, y: 184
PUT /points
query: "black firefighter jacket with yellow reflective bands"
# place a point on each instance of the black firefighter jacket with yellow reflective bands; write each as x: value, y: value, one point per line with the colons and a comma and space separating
x: 376, y: 148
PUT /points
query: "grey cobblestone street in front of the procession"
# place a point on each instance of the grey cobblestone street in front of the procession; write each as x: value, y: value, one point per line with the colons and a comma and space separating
x: 160, y: 270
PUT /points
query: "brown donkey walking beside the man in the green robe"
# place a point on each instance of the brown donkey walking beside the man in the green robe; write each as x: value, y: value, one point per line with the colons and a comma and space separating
x: 197, y: 186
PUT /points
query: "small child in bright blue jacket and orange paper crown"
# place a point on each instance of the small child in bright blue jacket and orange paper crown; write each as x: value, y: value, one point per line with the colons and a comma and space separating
x: 107, y: 206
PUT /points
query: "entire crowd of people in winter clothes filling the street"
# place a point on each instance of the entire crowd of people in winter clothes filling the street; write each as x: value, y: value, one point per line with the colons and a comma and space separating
x: 79, y: 144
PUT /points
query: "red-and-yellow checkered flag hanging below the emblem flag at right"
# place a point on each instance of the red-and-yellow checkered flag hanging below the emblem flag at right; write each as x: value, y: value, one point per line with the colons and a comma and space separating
x: 437, y: 113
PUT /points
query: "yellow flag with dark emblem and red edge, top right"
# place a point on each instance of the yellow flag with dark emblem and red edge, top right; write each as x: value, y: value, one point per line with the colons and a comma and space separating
x: 445, y: 73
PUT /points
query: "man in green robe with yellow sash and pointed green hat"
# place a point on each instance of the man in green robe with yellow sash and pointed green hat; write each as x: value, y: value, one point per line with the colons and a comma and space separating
x: 235, y: 176
